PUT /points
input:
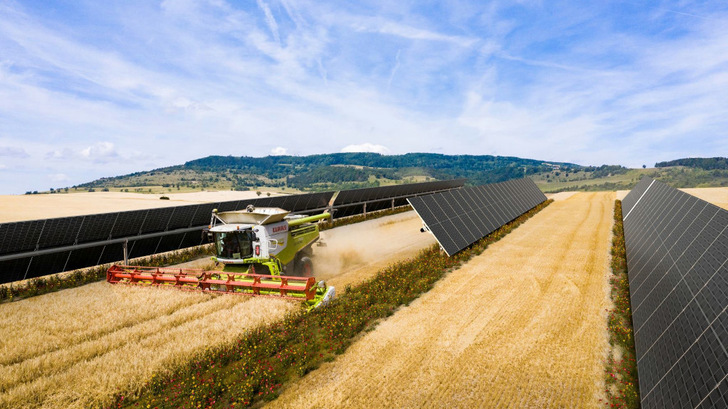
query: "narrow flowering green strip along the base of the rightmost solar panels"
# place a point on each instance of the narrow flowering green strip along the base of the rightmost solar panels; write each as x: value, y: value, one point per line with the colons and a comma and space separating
x: 621, y: 374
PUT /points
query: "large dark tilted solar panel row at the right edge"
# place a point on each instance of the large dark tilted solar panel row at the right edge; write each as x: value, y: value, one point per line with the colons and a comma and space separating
x: 677, y: 247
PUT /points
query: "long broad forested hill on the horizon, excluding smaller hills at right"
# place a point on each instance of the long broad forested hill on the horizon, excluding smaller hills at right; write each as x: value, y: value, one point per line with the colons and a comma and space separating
x: 329, y: 171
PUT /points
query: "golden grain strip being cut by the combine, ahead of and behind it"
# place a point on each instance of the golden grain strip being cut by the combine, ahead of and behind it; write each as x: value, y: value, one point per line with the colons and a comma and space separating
x: 80, y: 347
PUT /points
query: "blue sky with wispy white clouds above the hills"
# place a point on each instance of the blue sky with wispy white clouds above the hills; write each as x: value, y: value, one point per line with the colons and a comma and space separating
x: 102, y: 88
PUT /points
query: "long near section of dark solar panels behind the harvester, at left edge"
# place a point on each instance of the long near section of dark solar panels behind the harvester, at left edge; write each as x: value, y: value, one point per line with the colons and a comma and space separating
x: 28, y: 236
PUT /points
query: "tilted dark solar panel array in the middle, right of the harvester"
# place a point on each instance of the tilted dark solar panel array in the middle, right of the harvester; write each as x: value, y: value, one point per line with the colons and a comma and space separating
x: 459, y: 218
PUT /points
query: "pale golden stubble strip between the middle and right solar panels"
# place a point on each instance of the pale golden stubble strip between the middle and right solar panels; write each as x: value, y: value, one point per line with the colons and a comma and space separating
x: 521, y: 325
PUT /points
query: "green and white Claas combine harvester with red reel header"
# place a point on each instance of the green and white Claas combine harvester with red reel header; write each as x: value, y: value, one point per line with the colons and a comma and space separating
x: 255, y: 247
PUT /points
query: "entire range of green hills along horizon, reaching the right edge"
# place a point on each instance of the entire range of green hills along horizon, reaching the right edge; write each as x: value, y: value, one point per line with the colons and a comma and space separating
x: 355, y: 170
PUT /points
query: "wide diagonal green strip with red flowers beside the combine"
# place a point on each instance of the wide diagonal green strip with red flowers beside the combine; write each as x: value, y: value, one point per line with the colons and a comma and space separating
x: 253, y: 369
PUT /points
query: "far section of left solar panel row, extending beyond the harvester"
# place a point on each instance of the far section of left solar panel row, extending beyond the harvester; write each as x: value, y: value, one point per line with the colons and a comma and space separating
x: 351, y: 202
